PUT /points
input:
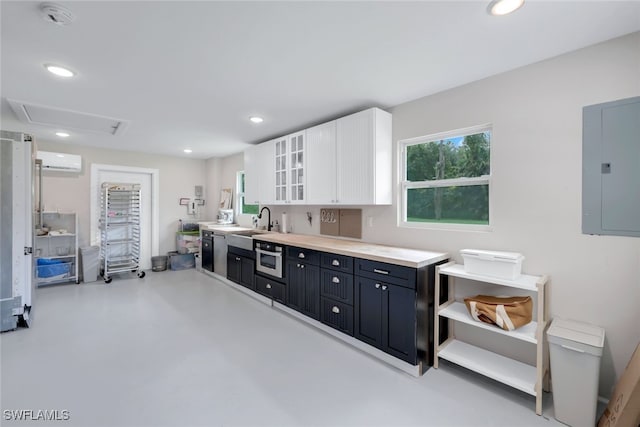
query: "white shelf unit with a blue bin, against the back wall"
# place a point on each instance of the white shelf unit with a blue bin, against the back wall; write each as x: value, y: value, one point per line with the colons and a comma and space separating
x: 58, y: 248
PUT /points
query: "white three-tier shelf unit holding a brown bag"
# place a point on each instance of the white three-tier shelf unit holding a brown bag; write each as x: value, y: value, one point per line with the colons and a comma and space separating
x: 527, y: 378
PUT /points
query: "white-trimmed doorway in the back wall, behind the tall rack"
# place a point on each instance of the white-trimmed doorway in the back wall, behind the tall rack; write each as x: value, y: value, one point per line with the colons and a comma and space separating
x: 149, y: 209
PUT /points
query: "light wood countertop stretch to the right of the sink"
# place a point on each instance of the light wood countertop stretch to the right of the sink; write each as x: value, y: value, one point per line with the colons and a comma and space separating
x: 393, y: 255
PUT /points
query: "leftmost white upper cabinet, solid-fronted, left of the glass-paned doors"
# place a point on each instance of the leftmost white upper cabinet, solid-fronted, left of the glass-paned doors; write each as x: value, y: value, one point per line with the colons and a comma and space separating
x: 258, y: 172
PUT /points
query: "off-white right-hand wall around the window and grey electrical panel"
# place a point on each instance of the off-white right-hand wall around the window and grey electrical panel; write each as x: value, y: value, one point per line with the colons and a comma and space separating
x: 536, y: 112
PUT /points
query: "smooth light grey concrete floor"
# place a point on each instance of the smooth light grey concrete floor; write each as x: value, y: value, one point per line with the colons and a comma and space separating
x: 184, y: 349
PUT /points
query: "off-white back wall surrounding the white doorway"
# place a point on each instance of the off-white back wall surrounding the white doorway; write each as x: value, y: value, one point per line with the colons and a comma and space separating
x: 71, y: 192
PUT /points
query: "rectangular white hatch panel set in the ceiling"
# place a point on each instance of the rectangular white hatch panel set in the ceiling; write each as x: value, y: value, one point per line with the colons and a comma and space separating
x: 66, y: 119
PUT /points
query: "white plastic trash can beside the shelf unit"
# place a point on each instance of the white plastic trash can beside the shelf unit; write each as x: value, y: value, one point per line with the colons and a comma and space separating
x: 575, y: 349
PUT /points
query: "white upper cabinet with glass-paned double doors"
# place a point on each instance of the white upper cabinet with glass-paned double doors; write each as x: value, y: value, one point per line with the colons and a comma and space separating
x: 290, y: 159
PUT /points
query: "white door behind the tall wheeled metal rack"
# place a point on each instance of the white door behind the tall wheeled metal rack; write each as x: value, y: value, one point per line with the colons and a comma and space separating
x: 146, y: 211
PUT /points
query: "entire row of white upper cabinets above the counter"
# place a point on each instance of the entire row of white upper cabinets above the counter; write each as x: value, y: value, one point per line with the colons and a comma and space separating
x: 345, y: 161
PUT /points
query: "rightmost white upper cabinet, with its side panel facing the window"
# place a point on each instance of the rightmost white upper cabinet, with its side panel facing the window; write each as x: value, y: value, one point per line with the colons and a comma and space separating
x: 363, y: 158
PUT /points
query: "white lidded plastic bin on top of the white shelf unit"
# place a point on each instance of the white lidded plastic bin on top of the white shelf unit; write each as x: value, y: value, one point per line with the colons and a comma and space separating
x: 504, y: 265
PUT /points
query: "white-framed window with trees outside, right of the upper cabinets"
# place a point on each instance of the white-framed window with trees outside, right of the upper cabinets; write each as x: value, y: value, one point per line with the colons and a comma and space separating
x: 446, y: 180
